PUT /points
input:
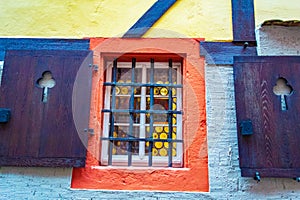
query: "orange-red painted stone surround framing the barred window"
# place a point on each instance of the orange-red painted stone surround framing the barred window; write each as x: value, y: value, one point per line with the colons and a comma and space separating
x: 193, y: 177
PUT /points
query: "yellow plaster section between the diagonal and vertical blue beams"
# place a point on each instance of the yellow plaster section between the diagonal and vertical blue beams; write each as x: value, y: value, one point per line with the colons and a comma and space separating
x: 210, y: 19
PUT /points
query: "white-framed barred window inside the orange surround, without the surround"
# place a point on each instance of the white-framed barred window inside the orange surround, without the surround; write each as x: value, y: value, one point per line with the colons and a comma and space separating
x: 142, y: 114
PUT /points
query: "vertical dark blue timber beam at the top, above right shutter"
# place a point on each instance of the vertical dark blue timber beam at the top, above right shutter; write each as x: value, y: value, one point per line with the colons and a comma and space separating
x: 243, y: 22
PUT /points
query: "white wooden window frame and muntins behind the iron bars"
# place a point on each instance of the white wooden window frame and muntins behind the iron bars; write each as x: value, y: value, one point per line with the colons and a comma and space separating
x: 142, y: 160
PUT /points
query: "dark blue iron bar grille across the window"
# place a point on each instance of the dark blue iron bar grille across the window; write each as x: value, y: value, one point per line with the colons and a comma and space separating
x: 130, y: 138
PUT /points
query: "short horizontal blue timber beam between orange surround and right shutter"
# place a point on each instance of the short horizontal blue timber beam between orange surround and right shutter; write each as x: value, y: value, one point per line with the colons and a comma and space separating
x: 222, y: 53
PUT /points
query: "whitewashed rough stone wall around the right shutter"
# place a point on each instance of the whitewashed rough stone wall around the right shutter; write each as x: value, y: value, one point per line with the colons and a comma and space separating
x: 224, y: 172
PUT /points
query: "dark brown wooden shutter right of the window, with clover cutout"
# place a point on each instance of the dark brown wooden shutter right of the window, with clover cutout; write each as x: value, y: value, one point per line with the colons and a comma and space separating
x: 268, y: 135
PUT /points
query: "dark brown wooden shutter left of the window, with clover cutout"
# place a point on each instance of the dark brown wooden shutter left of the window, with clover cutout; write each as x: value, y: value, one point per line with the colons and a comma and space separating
x: 51, y: 133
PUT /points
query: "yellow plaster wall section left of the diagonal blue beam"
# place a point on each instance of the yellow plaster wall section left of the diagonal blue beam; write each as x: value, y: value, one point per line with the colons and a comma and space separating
x: 70, y: 18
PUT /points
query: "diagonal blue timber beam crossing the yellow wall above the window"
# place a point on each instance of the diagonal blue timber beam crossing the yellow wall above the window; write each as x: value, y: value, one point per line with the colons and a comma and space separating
x: 158, y: 9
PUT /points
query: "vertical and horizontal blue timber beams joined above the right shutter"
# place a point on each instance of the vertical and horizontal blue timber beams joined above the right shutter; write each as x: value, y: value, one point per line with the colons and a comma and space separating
x: 244, y: 42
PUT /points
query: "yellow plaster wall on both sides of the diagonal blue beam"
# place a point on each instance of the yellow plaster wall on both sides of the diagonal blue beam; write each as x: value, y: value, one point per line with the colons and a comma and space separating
x: 109, y: 18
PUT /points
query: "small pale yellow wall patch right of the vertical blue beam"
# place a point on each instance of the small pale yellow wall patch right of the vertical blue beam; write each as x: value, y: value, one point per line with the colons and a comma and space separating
x: 276, y: 9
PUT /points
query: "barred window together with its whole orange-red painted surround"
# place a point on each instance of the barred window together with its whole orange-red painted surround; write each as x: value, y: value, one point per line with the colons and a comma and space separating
x: 127, y: 159
